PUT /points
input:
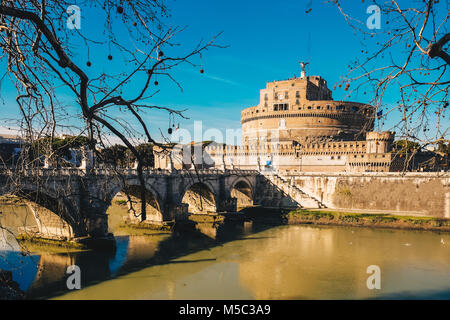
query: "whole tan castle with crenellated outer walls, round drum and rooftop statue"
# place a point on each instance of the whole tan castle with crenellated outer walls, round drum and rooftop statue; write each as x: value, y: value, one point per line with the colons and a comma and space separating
x: 297, y: 126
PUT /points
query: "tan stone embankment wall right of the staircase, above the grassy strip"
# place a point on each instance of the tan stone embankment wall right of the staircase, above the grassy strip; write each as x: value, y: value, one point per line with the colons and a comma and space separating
x: 426, y: 193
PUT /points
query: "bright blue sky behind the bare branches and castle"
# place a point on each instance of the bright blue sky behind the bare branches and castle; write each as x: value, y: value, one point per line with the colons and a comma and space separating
x: 266, y: 40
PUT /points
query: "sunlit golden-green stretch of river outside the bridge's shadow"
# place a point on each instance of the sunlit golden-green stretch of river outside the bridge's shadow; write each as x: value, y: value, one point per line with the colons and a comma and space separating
x: 295, y: 262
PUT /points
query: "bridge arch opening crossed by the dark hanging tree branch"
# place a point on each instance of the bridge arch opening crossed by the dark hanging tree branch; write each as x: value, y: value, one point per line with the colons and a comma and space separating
x: 131, y: 195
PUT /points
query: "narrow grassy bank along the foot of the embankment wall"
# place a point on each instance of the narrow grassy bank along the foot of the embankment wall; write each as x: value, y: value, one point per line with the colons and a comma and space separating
x: 366, y: 219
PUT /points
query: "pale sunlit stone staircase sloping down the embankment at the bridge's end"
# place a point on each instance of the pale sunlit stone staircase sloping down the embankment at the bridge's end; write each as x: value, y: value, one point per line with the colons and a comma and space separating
x: 289, y: 188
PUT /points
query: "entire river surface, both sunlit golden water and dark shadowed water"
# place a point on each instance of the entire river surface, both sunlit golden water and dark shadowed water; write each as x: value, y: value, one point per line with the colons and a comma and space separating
x: 246, y: 261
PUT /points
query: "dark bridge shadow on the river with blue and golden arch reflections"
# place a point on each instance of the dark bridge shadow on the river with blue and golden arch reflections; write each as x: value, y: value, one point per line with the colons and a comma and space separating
x: 44, y: 275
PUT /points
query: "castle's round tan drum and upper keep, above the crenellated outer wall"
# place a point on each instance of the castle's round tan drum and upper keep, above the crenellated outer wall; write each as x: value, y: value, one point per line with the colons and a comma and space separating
x: 302, y: 109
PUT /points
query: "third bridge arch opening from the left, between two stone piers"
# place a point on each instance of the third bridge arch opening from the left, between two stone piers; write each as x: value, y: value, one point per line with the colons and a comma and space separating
x: 200, y: 198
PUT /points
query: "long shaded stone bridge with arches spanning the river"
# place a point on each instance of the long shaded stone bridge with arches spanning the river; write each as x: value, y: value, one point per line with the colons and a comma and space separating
x: 72, y: 203
